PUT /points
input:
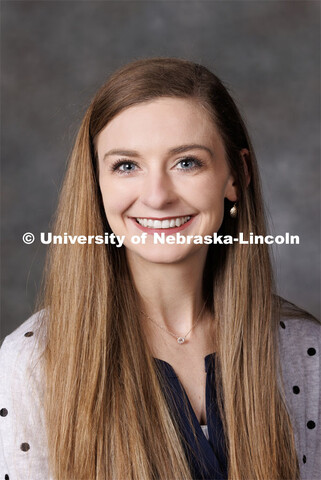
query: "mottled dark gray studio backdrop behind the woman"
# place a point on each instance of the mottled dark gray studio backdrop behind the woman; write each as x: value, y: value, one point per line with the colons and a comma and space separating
x: 55, y: 54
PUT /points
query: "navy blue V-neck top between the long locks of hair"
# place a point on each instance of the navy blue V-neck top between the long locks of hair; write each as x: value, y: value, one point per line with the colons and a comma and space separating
x: 207, y: 458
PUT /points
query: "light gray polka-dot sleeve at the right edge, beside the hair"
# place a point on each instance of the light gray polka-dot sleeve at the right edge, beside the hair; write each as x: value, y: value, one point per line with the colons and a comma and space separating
x: 300, y: 344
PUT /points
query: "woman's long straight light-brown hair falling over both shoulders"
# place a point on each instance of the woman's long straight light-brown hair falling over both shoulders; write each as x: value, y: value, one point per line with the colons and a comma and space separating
x: 106, y: 414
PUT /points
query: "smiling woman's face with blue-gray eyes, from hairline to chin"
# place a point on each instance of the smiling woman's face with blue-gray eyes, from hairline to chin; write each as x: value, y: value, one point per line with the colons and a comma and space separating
x: 163, y: 168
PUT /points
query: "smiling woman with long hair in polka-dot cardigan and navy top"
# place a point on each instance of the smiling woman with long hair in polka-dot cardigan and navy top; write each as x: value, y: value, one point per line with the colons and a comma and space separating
x: 161, y: 360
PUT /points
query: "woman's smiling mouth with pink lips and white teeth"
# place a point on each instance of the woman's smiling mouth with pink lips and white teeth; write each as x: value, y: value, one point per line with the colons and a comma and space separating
x: 166, y: 225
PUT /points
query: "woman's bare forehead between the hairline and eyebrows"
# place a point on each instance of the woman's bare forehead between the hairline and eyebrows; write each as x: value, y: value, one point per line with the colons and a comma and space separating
x: 161, y: 122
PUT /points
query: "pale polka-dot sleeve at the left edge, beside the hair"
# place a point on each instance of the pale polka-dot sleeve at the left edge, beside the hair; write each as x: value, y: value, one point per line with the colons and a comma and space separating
x: 23, y: 443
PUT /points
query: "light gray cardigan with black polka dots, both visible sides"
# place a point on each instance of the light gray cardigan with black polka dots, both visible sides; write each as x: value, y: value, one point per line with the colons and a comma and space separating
x: 23, y: 446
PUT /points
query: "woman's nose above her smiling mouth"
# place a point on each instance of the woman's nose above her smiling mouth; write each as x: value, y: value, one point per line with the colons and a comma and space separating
x: 157, y: 191
